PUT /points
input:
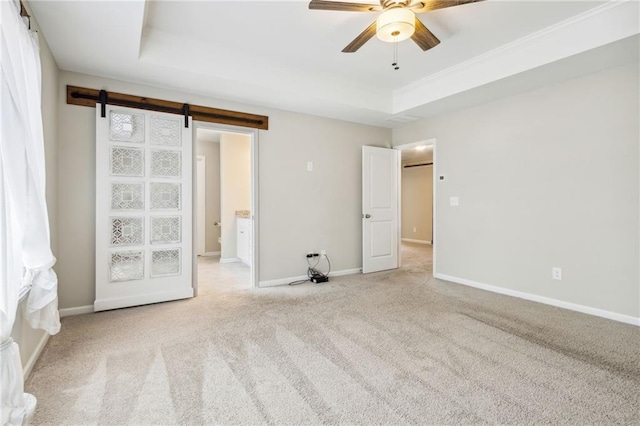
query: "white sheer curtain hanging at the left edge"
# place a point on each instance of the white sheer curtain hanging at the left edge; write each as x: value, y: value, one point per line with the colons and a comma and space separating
x: 25, y: 254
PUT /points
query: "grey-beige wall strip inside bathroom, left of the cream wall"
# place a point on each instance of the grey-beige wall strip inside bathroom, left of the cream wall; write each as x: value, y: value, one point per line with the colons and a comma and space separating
x: 211, y: 152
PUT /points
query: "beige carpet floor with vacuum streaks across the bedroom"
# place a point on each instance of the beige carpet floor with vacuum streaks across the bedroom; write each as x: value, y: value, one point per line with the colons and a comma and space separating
x: 389, y: 348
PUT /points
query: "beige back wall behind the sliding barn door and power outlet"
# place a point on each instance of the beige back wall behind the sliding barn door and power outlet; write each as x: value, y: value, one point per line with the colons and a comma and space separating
x: 299, y: 210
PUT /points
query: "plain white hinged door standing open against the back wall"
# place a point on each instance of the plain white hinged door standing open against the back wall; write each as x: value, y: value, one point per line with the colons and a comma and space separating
x: 380, y: 198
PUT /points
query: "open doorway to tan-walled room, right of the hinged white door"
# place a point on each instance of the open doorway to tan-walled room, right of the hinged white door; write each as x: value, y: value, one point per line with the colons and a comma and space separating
x: 417, y: 205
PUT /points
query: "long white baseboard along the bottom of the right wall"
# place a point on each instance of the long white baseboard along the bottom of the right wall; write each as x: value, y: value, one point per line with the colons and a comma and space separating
x: 628, y: 319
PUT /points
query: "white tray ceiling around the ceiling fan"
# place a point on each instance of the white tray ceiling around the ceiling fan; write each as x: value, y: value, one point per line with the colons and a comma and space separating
x: 280, y: 54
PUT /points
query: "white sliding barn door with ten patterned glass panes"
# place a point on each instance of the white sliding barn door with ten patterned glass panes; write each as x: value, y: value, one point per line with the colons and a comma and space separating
x: 143, y: 208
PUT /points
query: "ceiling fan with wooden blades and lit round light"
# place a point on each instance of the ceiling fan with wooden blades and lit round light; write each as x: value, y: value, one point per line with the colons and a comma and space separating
x: 397, y: 22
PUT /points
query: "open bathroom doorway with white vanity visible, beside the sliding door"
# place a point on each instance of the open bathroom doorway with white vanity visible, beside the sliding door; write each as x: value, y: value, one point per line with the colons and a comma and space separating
x: 225, y: 208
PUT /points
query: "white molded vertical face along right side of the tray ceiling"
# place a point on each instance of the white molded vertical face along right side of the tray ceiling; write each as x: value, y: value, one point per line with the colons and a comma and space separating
x: 604, y: 24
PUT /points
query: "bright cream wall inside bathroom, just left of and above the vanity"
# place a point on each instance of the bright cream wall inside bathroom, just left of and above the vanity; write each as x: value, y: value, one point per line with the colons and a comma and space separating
x: 235, y: 184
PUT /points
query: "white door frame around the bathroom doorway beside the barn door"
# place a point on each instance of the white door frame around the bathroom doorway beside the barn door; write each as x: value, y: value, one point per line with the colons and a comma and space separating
x: 255, y: 239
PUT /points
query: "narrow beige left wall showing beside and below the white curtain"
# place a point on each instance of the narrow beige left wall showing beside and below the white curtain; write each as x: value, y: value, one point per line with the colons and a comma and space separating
x: 28, y: 339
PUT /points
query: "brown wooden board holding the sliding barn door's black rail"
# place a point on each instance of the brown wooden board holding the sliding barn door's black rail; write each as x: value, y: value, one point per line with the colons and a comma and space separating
x: 90, y: 97
